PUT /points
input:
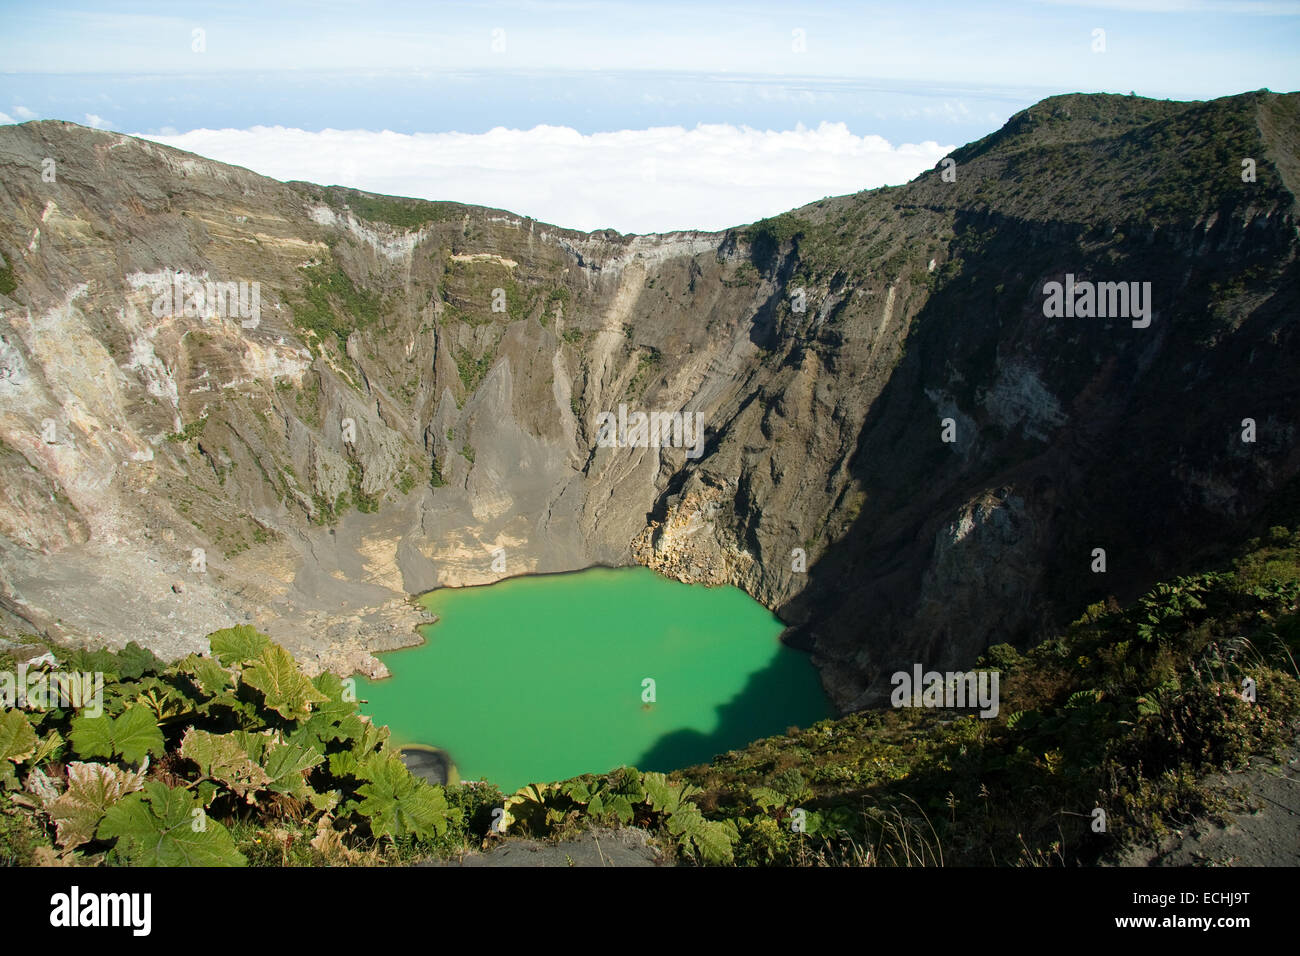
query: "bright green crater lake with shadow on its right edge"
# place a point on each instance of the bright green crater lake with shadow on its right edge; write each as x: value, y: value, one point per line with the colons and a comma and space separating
x: 540, y: 678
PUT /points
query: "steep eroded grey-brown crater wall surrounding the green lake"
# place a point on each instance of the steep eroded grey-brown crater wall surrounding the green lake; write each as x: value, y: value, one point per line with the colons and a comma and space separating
x: 417, y: 403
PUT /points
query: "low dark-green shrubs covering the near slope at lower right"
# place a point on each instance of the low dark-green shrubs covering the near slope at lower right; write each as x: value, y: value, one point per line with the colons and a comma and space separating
x: 1126, y: 712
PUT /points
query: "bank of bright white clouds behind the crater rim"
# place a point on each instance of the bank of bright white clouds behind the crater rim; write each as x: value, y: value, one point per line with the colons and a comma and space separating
x: 635, y: 181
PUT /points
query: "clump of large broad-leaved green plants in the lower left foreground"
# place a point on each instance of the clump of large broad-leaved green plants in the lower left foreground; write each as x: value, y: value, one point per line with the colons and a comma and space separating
x: 187, y: 756
